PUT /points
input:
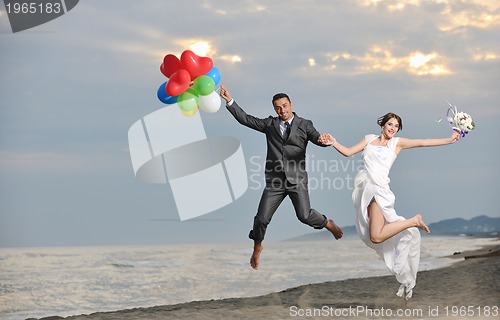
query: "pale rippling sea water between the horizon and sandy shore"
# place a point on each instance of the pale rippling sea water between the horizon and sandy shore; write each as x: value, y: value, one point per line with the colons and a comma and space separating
x: 64, y: 281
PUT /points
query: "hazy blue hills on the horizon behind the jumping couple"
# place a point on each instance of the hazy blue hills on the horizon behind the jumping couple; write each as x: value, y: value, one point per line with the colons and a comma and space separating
x: 482, y: 226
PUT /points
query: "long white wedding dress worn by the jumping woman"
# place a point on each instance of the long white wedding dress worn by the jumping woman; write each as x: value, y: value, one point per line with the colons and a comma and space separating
x: 401, y: 253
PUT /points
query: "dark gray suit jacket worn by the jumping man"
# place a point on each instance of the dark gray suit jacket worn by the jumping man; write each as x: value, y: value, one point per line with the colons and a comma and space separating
x: 285, y: 160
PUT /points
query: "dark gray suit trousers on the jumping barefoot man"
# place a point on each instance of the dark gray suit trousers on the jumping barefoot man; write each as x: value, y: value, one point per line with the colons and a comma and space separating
x: 273, y: 195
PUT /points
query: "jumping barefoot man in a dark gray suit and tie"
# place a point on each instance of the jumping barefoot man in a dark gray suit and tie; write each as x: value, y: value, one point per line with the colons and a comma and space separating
x: 287, y: 136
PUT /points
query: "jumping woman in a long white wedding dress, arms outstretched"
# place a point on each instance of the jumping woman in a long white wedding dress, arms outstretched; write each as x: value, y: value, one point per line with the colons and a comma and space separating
x: 394, y: 238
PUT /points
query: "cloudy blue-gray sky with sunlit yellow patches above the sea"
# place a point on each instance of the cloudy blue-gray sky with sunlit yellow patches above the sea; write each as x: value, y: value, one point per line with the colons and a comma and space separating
x: 71, y: 88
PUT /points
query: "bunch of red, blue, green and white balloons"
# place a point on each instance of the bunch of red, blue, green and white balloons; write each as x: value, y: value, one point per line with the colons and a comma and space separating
x: 191, y: 83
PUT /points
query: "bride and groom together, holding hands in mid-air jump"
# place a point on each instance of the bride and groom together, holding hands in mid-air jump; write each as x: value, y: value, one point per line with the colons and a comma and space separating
x: 395, y: 238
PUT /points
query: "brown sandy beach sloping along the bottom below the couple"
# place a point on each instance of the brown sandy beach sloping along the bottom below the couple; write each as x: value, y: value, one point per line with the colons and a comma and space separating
x: 467, y: 289
